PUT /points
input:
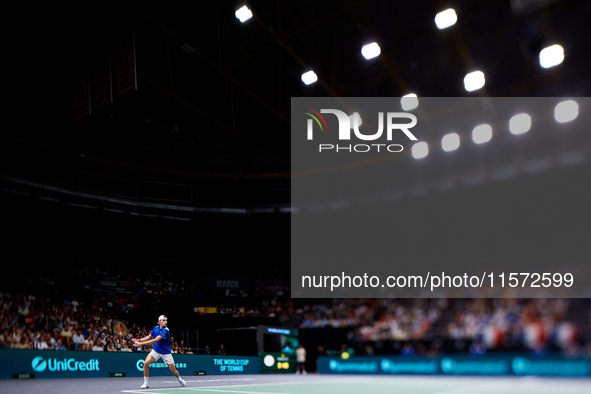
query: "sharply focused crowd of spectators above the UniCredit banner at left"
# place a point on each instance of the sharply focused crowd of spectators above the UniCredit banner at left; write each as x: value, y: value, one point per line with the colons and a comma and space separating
x: 34, y: 322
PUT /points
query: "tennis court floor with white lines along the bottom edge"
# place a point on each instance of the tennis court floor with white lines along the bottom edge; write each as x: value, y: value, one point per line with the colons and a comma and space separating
x: 309, y: 384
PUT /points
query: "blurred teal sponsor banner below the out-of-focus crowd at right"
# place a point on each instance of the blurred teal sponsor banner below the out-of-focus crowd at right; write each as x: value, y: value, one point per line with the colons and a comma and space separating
x: 493, y: 365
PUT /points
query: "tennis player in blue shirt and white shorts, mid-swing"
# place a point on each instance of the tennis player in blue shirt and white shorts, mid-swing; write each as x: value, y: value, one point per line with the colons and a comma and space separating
x: 160, y: 337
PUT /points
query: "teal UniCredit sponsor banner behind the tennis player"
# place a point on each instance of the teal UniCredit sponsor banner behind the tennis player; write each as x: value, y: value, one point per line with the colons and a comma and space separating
x: 46, y: 364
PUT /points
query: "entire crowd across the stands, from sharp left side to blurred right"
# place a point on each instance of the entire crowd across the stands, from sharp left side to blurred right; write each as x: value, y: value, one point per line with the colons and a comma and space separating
x: 54, y: 320
